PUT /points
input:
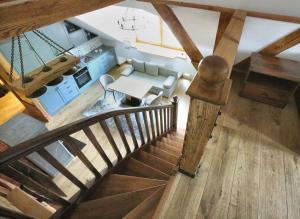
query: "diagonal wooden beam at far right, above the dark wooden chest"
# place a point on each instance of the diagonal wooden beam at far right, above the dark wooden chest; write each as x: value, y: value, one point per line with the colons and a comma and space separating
x: 278, y: 46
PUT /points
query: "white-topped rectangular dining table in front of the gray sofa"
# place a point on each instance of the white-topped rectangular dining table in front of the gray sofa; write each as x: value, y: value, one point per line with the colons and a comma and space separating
x: 134, y: 90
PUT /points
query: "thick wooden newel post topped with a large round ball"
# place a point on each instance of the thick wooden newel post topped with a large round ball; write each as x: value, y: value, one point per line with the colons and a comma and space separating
x: 208, y: 91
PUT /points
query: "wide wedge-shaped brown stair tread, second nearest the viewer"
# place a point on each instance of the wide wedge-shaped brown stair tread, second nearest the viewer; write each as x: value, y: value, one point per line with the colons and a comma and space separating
x: 115, y: 206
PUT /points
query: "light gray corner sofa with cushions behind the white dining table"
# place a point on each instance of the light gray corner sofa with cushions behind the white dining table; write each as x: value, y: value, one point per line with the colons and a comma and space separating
x: 160, y: 78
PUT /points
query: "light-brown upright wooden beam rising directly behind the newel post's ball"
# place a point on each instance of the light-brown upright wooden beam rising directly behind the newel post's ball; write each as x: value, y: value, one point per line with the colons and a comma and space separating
x: 228, y: 45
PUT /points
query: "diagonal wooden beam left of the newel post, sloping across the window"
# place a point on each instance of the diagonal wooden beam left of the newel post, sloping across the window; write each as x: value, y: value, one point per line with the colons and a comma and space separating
x: 180, y: 33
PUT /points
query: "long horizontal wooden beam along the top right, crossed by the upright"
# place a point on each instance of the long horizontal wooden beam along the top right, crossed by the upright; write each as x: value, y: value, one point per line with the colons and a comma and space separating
x: 270, y: 16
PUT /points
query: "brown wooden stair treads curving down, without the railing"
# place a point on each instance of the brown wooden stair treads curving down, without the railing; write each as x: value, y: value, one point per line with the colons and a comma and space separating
x: 135, y: 189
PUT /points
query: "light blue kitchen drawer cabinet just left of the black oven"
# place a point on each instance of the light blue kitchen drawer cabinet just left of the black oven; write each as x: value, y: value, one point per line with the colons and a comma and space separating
x: 68, y: 89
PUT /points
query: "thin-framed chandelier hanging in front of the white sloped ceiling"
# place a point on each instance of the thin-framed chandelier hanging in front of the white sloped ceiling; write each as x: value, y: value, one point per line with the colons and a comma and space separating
x: 131, y: 20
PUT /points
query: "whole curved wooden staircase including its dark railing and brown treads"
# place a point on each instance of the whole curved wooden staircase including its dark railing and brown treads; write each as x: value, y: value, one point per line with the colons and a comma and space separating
x: 130, y: 185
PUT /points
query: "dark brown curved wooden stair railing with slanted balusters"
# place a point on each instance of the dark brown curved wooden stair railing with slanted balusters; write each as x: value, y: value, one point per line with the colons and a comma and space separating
x: 155, y: 121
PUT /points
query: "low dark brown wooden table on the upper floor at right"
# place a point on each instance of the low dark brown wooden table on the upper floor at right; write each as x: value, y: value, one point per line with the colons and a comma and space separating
x: 271, y: 80
